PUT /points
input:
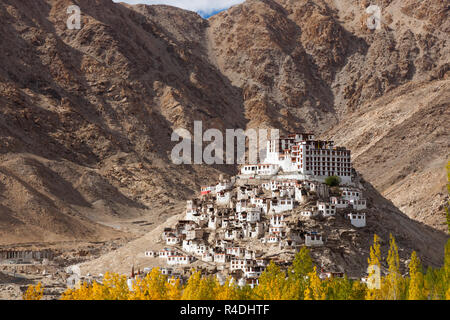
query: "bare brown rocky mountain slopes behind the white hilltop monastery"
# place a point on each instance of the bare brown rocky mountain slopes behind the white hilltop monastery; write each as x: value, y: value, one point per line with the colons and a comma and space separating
x: 86, y: 115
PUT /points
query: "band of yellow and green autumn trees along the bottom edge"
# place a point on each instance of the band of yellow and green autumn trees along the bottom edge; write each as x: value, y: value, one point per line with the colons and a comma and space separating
x: 300, y: 281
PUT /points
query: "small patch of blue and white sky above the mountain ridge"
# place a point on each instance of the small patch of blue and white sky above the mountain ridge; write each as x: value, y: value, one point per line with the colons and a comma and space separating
x: 205, y: 8
